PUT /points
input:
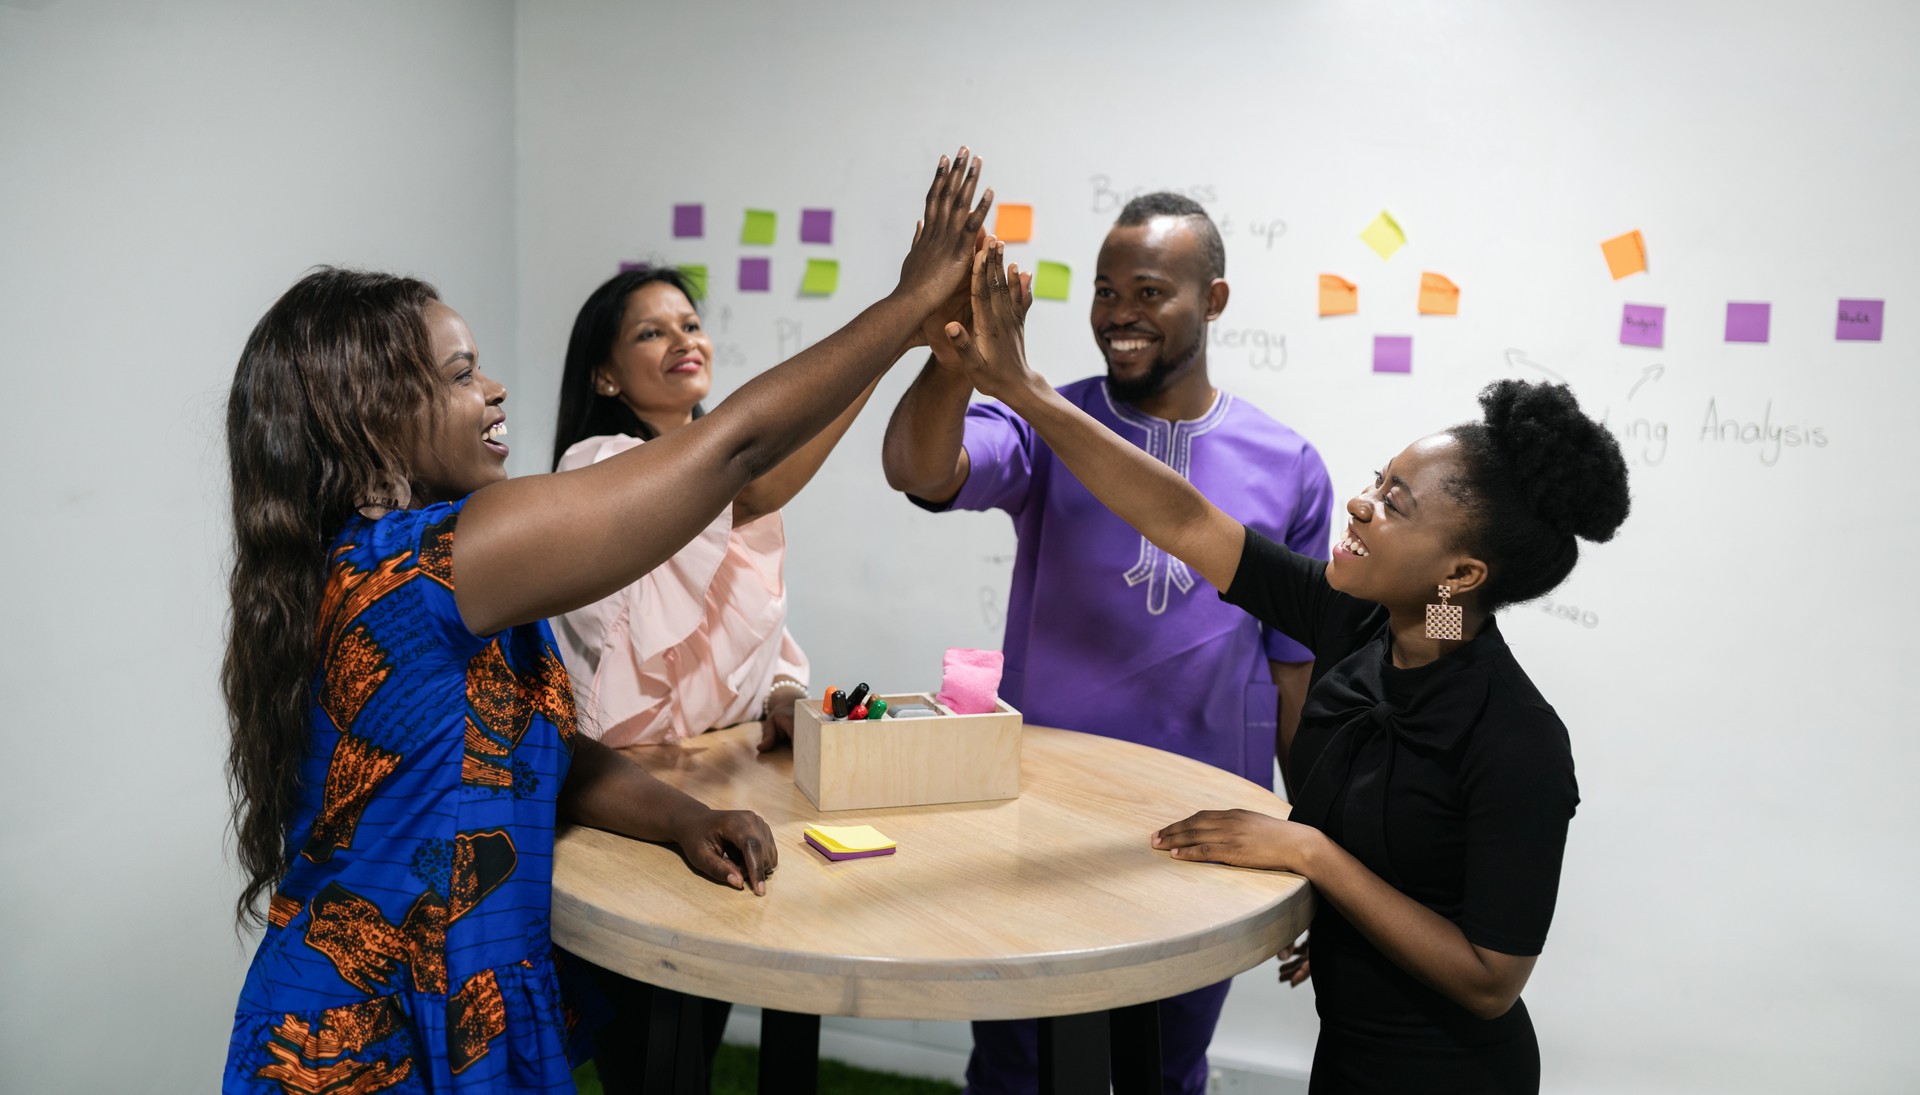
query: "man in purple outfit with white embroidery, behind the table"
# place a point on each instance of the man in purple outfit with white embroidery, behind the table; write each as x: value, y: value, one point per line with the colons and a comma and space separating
x: 1107, y: 633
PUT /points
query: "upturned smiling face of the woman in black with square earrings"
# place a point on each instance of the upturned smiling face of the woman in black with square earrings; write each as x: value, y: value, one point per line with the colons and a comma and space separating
x: 1404, y: 531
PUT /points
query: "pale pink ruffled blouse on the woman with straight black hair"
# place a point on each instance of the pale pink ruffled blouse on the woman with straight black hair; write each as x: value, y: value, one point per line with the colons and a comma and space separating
x: 690, y: 646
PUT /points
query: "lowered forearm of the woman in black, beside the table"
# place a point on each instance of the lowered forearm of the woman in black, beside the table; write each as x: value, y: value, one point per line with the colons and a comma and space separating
x: 1414, y: 937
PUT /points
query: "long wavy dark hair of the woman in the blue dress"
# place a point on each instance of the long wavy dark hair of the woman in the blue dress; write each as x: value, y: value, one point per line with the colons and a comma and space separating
x: 331, y: 393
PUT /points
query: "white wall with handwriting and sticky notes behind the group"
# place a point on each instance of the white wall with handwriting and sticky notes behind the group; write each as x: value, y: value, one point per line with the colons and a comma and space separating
x: 1733, y: 912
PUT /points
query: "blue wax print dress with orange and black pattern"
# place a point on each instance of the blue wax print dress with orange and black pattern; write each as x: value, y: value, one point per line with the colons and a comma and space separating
x: 408, y: 946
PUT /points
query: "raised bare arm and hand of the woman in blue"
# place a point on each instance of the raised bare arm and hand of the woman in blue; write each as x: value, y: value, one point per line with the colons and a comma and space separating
x: 539, y: 547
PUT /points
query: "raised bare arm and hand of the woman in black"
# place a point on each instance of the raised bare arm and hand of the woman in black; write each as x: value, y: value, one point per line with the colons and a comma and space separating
x: 1136, y: 487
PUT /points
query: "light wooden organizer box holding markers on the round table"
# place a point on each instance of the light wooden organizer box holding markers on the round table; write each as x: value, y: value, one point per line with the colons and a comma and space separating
x: 873, y: 764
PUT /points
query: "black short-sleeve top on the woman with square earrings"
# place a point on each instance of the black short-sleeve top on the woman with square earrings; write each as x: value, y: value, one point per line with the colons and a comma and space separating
x: 1452, y: 781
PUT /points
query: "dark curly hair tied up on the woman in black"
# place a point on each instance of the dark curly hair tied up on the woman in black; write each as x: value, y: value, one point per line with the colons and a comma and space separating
x: 1537, y: 477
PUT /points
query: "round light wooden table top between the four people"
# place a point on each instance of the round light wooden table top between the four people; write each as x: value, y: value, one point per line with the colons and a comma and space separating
x: 1045, y: 906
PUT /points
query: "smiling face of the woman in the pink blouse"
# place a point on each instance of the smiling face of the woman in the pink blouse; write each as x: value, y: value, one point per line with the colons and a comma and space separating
x: 661, y: 354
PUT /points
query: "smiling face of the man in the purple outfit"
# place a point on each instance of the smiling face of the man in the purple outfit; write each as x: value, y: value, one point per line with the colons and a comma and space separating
x: 1151, y: 304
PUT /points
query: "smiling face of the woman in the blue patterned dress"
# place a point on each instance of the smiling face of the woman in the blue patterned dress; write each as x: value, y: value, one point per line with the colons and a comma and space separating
x: 462, y: 450
